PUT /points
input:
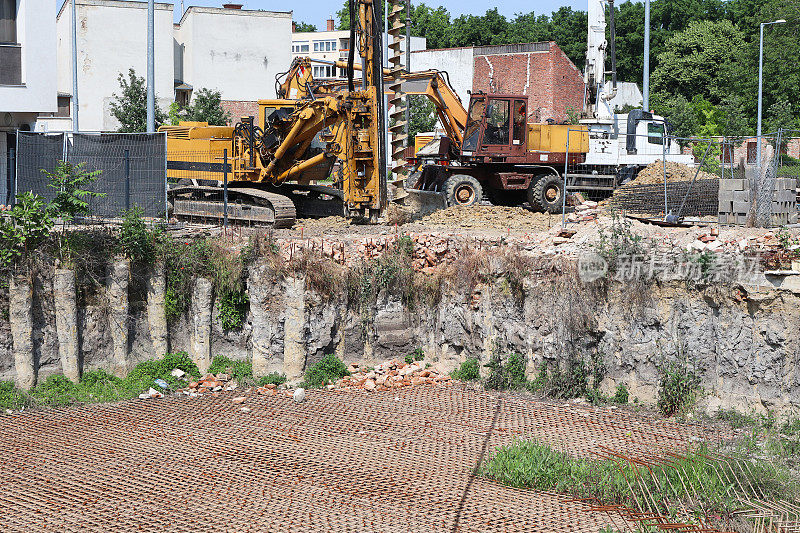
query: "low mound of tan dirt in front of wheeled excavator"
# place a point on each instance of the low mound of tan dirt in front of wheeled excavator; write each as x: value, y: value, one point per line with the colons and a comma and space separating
x: 488, y: 216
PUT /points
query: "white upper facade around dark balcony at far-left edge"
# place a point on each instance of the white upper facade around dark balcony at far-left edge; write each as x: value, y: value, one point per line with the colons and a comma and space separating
x: 36, y: 34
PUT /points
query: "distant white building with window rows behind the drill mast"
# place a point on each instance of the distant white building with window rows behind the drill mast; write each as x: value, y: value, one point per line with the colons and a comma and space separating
x: 333, y: 45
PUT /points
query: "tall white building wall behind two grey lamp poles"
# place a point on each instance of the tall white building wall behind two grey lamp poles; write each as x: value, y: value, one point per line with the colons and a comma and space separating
x: 112, y: 38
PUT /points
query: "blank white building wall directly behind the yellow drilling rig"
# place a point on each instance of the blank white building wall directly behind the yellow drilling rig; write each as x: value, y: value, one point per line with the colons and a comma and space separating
x: 236, y: 52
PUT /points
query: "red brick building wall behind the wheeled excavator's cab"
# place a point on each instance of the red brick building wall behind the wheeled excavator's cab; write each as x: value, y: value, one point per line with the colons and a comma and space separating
x: 549, y: 79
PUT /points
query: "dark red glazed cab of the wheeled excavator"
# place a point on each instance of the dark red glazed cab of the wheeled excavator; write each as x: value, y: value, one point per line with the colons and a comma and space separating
x: 496, y: 126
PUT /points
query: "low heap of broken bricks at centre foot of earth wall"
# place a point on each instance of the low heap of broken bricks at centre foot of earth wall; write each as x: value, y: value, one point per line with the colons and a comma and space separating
x: 389, y: 375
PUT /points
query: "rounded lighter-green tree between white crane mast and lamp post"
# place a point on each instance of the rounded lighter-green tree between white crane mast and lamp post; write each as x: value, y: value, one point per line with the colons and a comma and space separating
x: 695, y: 62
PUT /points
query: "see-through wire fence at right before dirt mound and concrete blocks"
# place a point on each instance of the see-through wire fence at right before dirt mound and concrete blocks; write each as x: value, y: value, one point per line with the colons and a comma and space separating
x: 672, y: 177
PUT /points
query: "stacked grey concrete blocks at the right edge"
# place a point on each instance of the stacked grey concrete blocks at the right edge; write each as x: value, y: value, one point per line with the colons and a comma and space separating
x: 735, y: 204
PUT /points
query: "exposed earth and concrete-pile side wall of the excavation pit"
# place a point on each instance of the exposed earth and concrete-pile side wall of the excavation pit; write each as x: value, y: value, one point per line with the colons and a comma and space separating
x: 744, y: 343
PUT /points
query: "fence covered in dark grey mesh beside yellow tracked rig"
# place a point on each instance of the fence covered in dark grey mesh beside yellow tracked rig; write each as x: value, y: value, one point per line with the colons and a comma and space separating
x: 132, y: 168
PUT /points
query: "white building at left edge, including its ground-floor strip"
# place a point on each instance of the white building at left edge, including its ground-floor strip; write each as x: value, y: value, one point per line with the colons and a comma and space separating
x: 27, y: 73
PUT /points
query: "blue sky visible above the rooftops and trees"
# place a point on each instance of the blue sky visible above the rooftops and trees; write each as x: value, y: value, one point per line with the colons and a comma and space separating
x: 317, y: 11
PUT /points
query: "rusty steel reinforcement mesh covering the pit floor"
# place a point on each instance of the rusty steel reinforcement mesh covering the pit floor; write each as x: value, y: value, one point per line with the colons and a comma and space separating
x: 340, y: 461
